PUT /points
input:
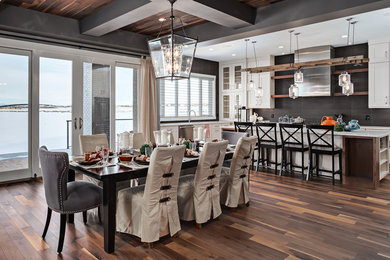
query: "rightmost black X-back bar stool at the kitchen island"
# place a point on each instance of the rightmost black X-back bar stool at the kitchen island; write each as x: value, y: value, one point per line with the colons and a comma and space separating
x: 321, y: 146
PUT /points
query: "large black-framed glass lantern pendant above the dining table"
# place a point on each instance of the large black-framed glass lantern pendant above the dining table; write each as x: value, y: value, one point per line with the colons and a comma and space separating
x: 172, y: 55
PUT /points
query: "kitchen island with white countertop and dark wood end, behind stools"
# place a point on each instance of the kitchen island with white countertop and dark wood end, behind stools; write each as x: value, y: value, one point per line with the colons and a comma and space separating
x: 365, y: 159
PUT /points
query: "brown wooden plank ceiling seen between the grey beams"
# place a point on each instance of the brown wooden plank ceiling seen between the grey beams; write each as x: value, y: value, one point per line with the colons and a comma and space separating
x: 79, y: 9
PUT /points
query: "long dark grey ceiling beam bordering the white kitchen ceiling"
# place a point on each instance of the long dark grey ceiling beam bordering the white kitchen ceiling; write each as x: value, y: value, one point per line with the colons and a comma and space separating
x: 285, y: 15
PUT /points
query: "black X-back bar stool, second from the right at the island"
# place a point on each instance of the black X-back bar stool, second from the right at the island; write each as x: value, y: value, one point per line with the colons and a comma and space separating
x: 292, y: 141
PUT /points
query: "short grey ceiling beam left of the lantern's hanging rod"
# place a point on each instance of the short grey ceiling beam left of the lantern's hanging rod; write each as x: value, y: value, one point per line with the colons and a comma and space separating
x: 120, y: 13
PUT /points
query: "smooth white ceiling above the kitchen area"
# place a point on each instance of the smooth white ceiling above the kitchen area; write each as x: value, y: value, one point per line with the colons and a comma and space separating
x: 369, y: 26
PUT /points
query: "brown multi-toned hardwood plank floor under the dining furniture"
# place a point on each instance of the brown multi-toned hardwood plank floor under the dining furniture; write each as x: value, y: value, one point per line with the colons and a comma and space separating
x: 287, y: 219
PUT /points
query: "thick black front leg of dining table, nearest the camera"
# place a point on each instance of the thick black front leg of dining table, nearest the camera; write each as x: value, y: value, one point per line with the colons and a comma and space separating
x: 109, y: 211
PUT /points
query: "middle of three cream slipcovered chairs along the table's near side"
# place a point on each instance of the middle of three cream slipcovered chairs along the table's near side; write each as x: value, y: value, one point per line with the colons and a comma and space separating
x: 198, y: 195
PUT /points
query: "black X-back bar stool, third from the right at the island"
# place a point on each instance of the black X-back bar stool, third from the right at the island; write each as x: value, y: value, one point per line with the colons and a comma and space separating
x: 267, y: 140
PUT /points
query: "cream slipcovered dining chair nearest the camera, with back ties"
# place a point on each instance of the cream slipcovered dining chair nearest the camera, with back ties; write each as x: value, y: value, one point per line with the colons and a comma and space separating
x: 150, y: 211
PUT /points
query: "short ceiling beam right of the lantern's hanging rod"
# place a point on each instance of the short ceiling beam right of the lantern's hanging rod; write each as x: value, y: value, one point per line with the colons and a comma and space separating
x: 229, y: 13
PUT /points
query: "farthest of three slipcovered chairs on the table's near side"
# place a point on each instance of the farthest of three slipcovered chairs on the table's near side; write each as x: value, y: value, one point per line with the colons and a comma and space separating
x: 235, y: 180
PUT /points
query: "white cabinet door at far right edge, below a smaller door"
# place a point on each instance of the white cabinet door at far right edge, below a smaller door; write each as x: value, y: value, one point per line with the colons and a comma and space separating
x: 379, y: 85
